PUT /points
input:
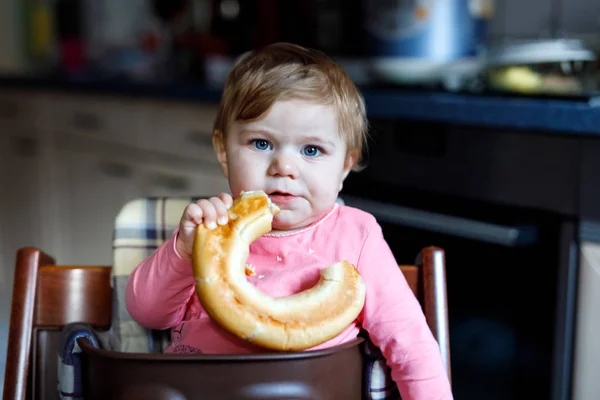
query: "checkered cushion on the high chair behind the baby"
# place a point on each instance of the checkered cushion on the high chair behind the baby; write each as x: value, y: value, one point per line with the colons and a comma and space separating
x: 140, y: 228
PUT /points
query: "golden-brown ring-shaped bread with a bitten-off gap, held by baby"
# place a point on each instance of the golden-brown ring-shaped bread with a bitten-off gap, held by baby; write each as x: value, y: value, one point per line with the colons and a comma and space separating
x: 295, y: 322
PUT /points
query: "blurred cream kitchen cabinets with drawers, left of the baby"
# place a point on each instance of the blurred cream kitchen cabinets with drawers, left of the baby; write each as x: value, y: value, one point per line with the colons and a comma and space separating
x: 71, y: 162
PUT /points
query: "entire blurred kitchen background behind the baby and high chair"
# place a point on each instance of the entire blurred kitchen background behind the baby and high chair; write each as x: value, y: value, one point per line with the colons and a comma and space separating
x: 485, y: 141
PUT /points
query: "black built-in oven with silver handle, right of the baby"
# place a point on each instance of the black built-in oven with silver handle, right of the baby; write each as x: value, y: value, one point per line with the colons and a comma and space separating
x: 510, y: 237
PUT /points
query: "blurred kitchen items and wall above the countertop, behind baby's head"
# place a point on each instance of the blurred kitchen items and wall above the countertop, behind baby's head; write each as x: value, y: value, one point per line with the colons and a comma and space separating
x: 470, y: 45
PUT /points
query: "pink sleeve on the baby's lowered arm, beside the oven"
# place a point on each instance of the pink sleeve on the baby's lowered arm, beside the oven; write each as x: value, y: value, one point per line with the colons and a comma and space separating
x: 396, y: 324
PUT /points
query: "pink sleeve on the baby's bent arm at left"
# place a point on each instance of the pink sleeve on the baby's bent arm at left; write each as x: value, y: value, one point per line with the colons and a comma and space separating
x: 160, y: 287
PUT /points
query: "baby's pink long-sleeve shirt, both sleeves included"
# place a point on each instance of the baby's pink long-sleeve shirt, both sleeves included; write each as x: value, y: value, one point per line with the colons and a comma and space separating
x: 161, y: 295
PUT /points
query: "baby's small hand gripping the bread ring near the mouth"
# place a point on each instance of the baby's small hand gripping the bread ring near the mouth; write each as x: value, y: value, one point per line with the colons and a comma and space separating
x: 211, y: 212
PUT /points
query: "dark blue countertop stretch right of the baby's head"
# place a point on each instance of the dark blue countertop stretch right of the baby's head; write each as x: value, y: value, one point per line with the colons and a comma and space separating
x: 579, y: 115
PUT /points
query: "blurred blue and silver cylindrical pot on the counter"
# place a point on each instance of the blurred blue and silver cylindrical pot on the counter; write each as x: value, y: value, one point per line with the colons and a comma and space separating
x: 413, y: 41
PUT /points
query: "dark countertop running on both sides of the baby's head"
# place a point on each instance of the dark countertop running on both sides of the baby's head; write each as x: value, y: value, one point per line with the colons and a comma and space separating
x: 574, y: 116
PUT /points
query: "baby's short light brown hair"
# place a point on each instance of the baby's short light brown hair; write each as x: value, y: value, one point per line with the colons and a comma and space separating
x: 283, y: 71
